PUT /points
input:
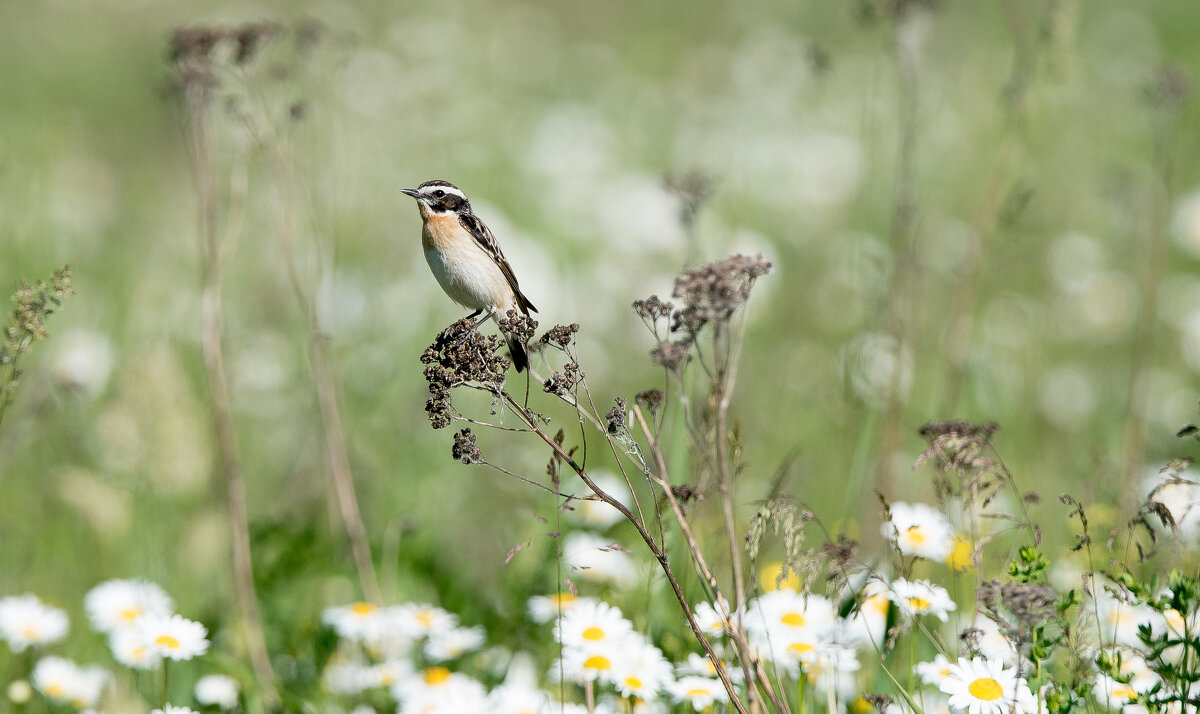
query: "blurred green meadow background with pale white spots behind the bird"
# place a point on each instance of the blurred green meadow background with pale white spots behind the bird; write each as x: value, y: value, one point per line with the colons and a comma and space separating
x: 976, y: 211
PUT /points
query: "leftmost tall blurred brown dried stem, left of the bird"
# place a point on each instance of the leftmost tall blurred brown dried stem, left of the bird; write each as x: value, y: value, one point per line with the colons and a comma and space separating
x: 219, y: 397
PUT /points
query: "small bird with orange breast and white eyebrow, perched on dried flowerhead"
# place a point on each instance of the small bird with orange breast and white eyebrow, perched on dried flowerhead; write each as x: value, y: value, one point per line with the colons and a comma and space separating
x: 467, y: 261
